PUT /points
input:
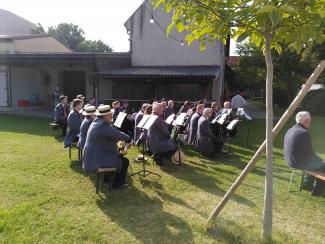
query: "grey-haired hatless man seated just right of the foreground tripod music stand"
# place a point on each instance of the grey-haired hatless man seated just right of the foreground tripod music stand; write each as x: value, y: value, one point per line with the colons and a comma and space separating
x: 159, y: 140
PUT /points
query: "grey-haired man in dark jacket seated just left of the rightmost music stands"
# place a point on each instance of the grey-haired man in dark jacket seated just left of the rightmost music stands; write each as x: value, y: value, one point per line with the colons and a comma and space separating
x: 207, y: 143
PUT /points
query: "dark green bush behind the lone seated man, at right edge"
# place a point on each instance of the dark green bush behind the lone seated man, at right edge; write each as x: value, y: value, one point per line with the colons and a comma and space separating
x: 314, y: 102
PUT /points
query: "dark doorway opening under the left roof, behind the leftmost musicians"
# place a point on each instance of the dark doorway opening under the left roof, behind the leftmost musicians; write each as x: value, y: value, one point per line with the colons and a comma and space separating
x: 74, y: 83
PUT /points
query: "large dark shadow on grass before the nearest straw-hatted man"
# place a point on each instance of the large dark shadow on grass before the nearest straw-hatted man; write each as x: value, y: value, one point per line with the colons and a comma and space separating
x: 143, y: 217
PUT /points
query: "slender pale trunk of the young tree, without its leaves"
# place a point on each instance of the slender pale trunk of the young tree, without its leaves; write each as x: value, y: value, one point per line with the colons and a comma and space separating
x: 267, y: 225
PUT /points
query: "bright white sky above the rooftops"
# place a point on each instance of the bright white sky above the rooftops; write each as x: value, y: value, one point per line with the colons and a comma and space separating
x: 100, y: 19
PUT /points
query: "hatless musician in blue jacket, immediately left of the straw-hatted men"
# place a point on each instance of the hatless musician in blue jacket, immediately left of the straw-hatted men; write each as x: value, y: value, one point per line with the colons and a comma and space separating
x: 74, y: 123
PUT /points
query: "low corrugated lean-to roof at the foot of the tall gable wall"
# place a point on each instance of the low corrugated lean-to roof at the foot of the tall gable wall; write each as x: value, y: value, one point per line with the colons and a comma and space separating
x: 163, y: 71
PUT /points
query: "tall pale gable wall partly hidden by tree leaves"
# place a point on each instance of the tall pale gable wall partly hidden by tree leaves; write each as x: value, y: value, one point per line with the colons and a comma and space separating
x: 151, y: 46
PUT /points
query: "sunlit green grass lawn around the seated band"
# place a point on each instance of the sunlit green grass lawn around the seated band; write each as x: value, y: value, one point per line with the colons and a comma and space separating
x: 46, y: 198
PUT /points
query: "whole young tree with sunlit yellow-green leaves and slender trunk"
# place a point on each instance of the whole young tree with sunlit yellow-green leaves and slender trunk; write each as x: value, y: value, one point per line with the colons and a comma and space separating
x: 267, y: 23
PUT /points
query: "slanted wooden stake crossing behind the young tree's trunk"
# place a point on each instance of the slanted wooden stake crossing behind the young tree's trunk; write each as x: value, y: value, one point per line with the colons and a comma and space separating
x: 285, y: 117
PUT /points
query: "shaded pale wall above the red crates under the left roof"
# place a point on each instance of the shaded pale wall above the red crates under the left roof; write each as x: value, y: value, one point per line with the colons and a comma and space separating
x: 26, y: 82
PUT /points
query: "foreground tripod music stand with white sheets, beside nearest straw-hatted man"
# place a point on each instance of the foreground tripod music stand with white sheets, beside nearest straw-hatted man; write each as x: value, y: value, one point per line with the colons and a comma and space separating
x: 145, y: 124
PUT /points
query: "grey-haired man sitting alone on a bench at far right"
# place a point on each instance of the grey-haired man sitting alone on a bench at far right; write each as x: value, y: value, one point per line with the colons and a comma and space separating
x: 299, y: 153
